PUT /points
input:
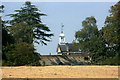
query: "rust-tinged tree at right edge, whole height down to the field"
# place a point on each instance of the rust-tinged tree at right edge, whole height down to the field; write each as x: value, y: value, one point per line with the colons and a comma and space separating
x: 112, y: 33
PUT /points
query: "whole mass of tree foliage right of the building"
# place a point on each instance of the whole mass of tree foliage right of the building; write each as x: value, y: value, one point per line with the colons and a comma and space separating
x: 103, y: 45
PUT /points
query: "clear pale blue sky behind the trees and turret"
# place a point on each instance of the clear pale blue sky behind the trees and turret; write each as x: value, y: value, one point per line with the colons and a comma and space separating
x: 71, y: 14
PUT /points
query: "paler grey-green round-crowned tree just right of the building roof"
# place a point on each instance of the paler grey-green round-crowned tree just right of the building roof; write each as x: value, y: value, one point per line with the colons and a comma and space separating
x: 89, y: 30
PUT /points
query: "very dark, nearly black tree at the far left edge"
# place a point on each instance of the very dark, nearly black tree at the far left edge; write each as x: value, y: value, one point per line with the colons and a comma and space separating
x: 6, y: 39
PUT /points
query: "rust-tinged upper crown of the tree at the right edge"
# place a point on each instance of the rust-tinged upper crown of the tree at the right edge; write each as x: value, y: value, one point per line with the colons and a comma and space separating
x: 112, y: 27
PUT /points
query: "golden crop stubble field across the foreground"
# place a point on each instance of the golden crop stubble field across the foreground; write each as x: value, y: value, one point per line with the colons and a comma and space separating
x: 60, y: 72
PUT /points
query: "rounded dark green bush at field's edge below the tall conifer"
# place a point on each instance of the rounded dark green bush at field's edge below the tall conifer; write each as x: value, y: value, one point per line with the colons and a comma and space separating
x: 21, y: 54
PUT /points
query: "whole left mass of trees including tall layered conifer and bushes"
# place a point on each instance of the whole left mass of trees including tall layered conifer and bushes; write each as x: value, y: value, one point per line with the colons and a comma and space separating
x: 26, y: 28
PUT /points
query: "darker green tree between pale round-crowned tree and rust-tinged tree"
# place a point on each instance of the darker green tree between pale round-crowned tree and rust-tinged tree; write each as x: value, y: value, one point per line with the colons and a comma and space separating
x: 97, y: 48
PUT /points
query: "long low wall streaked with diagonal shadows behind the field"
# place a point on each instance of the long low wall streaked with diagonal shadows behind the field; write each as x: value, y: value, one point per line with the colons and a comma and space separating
x: 64, y: 59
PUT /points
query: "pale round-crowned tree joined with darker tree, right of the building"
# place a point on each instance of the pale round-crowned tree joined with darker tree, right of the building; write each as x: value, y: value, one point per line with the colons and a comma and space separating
x: 91, y: 40
